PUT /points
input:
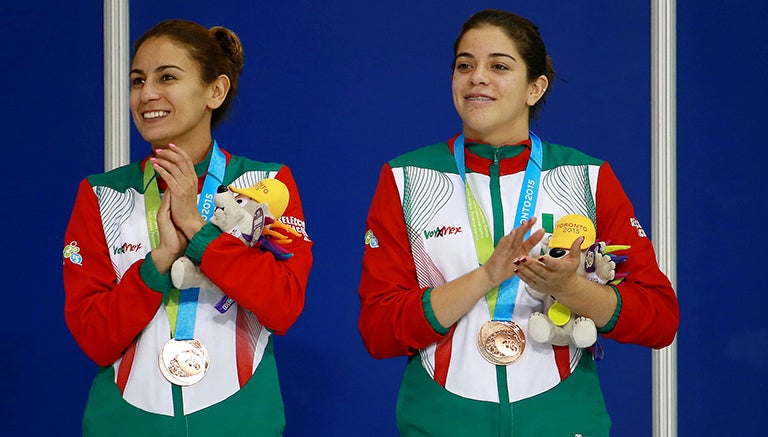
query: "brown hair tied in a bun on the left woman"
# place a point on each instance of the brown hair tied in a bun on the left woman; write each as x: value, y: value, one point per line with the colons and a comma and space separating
x: 216, y: 51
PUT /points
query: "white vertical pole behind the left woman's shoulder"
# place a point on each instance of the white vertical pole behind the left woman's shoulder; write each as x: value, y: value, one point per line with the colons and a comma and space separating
x: 116, y: 55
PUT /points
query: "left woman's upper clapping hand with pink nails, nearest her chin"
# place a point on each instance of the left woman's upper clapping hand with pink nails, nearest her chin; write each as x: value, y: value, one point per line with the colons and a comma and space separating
x: 177, y: 169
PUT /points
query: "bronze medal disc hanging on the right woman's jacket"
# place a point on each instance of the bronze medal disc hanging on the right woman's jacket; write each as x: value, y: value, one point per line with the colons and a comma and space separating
x: 501, y: 343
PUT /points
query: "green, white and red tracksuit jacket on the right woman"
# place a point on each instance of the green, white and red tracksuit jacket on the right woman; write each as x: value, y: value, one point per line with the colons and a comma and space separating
x: 418, y: 237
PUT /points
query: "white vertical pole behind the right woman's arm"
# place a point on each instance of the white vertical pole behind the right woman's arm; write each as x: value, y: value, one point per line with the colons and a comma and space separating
x: 664, y: 198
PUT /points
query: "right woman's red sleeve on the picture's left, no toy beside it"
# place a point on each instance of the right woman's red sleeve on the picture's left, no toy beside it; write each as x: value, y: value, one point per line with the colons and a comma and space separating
x: 392, y: 319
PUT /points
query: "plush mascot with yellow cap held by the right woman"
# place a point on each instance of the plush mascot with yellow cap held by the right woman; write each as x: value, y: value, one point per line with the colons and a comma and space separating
x: 598, y: 263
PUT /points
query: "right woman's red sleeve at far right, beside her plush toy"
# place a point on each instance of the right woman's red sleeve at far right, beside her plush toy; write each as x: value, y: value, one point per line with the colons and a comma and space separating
x: 649, y: 314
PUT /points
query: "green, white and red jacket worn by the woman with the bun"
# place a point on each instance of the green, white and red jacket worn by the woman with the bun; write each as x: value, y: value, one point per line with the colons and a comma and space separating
x: 114, y: 296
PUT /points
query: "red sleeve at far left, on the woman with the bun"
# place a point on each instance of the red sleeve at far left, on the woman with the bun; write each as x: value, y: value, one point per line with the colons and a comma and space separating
x: 103, y: 313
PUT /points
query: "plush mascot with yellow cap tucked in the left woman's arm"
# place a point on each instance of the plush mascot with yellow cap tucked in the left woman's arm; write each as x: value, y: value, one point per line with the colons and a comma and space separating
x: 250, y: 214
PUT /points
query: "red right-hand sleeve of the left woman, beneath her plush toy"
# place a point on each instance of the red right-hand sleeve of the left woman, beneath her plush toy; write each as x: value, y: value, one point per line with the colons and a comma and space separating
x: 272, y: 290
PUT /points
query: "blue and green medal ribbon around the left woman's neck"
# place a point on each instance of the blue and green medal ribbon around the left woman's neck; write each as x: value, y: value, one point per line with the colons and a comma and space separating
x: 181, y: 305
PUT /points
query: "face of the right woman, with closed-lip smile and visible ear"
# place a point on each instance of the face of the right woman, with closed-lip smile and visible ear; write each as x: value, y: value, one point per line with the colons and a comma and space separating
x: 491, y: 89
